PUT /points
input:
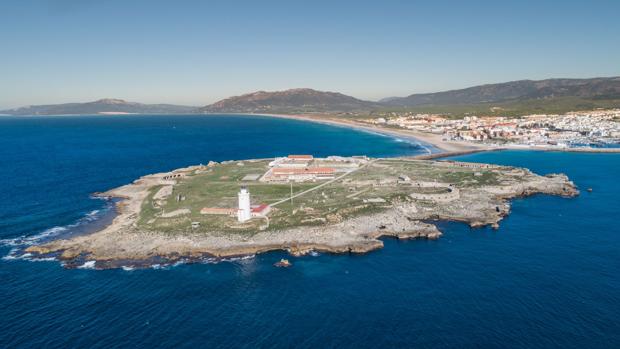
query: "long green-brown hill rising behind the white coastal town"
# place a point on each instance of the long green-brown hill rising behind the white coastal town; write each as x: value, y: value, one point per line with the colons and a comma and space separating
x: 514, y: 91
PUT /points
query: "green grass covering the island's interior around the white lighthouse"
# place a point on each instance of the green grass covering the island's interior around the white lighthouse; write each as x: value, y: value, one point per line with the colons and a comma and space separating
x: 370, y: 189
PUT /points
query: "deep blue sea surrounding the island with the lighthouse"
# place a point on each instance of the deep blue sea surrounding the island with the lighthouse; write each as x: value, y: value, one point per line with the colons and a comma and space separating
x: 549, y: 277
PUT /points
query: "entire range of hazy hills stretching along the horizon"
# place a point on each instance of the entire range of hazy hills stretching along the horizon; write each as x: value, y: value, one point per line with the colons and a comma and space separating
x: 521, y: 96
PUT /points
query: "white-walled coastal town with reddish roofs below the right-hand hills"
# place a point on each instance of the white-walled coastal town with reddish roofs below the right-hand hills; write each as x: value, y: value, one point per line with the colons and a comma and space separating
x: 597, y: 128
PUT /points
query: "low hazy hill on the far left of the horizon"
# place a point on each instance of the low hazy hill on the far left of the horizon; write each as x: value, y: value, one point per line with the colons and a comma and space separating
x: 100, y: 106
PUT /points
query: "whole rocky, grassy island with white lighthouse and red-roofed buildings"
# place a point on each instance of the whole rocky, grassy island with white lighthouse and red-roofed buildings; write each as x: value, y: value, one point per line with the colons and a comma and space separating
x: 296, y: 203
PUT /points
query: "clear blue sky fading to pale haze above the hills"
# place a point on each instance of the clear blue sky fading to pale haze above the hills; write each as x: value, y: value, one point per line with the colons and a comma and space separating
x: 196, y: 52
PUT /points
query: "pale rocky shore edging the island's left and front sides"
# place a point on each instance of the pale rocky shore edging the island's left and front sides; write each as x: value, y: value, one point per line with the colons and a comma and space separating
x: 124, y: 243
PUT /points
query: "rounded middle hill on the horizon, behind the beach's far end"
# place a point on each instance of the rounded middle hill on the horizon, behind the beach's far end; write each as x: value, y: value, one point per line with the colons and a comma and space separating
x: 289, y: 101
